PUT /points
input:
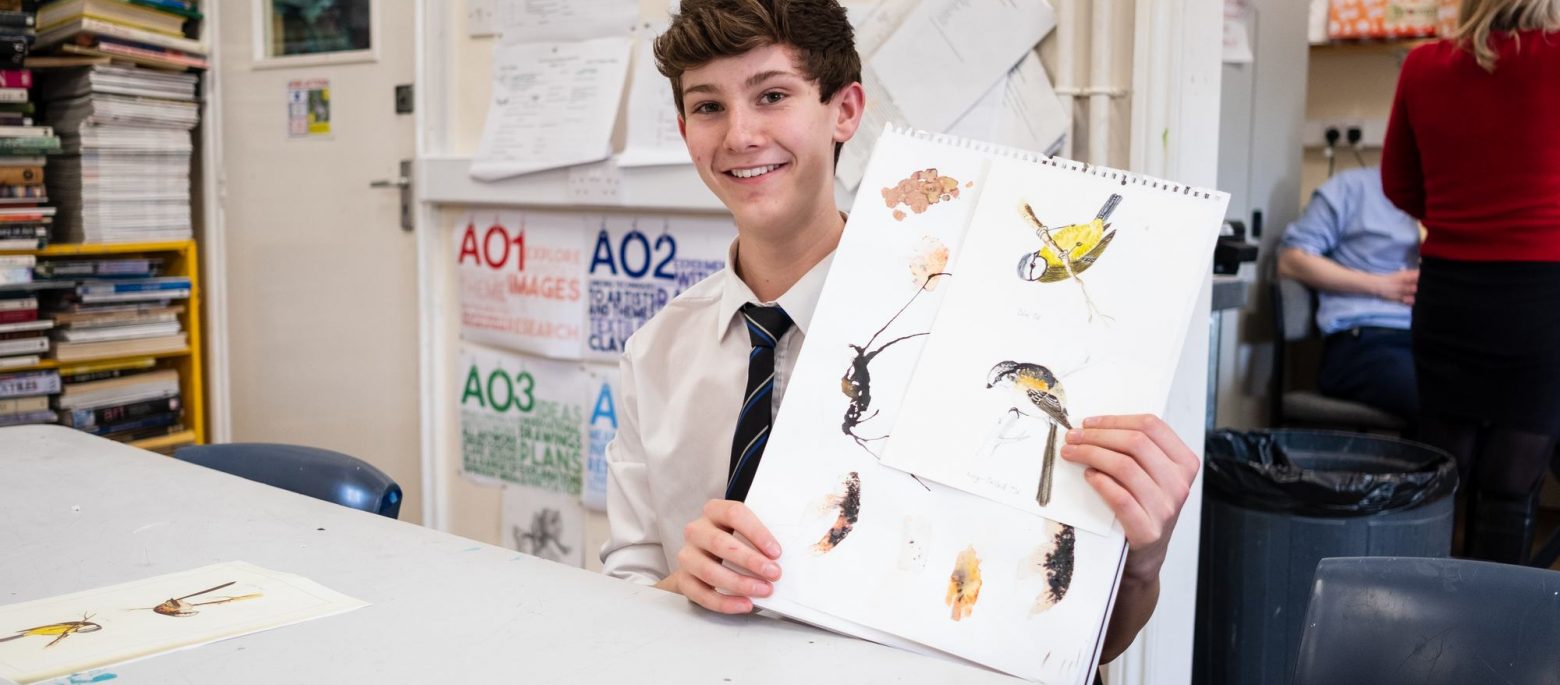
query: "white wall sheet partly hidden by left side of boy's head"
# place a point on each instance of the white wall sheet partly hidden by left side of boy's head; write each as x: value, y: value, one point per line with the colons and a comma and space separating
x: 653, y: 135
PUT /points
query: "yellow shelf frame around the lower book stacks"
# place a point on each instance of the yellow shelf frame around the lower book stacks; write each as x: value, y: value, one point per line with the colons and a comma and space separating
x: 182, y: 258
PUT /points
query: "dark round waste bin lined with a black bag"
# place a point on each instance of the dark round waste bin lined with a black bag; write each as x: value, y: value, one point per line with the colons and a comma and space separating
x: 1280, y: 502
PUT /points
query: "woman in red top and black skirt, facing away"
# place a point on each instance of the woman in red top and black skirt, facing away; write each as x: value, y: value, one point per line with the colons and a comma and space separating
x: 1473, y: 151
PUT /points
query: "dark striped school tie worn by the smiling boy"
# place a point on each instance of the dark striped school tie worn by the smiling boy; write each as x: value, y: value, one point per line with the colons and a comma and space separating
x: 765, y: 328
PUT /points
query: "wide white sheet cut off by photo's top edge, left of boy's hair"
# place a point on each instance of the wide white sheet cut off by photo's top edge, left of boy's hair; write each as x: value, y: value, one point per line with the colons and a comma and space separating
x: 547, y: 21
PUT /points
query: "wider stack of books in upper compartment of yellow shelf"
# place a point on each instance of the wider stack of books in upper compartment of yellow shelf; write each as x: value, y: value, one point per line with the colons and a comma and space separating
x: 118, y: 308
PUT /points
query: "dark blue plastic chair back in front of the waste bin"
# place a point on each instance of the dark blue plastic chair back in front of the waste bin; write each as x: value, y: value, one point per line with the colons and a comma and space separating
x: 1430, y: 622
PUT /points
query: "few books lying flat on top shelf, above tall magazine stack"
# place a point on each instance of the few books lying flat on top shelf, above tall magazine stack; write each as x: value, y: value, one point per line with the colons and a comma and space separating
x: 141, y: 32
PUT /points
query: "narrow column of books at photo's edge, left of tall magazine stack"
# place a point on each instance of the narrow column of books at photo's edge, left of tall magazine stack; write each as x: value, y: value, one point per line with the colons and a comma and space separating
x: 24, y: 219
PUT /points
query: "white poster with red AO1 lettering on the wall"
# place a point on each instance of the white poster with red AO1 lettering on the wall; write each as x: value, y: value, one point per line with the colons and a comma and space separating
x: 522, y: 282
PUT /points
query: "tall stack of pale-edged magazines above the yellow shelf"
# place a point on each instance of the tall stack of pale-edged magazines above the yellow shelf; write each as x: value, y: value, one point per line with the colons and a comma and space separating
x: 124, y: 174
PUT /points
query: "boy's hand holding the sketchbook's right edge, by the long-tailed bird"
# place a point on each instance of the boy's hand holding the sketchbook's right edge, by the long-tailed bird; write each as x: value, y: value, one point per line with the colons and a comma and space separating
x: 1144, y: 472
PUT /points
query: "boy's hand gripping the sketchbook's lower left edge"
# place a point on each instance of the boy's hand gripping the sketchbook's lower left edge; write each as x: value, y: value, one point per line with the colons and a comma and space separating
x: 712, y: 541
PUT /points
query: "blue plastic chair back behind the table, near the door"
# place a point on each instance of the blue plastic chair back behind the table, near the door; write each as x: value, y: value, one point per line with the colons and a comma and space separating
x: 317, y: 474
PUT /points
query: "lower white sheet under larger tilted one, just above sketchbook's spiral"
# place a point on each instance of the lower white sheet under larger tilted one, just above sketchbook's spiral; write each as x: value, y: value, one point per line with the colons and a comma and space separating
x: 1023, y: 112
